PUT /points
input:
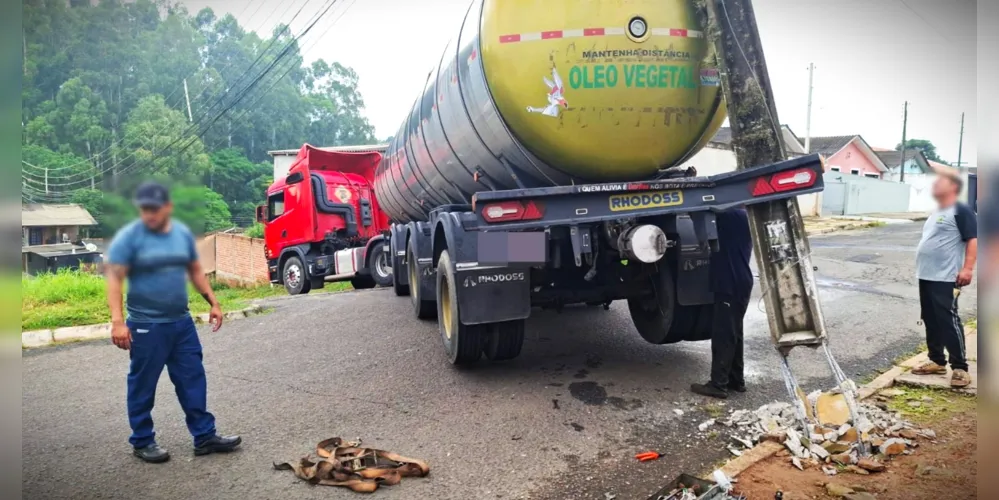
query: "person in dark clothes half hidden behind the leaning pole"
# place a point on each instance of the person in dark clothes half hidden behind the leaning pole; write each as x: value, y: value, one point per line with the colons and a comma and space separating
x: 732, y: 283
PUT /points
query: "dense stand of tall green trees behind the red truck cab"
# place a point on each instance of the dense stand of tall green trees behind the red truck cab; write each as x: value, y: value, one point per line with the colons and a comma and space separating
x: 102, y: 86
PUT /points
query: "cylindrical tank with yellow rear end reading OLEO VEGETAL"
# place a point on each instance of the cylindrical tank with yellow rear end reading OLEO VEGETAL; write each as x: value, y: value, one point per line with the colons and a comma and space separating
x: 535, y: 93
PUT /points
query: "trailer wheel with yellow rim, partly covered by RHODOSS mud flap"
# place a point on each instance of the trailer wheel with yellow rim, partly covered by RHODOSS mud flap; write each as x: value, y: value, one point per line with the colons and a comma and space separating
x: 462, y: 343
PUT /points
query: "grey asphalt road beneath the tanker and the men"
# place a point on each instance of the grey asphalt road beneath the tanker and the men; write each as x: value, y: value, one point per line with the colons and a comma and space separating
x: 561, y: 421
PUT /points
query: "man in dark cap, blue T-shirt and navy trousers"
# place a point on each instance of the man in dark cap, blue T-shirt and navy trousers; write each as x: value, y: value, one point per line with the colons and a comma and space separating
x: 157, y: 255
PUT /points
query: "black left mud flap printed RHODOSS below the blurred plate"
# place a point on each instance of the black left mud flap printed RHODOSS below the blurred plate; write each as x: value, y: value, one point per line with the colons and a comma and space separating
x: 493, y: 294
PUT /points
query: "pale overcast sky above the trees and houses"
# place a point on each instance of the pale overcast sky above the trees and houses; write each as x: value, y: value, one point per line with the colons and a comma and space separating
x: 870, y: 57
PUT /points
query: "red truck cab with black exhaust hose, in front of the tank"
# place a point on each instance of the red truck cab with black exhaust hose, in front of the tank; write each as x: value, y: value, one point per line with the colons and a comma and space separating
x: 323, y: 223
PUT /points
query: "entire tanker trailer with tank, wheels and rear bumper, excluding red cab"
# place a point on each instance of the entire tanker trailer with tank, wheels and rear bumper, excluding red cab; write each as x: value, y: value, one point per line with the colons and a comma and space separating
x: 539, y: 168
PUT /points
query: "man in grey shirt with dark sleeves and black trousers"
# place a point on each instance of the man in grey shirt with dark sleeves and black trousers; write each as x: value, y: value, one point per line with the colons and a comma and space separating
x: 945, y: 262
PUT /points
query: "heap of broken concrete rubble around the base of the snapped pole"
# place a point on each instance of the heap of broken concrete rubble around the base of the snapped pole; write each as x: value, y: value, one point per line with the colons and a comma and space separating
x: 832, y: 440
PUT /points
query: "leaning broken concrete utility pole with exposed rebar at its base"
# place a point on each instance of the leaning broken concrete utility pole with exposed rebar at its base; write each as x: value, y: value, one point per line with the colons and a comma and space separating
x: 779, y: 240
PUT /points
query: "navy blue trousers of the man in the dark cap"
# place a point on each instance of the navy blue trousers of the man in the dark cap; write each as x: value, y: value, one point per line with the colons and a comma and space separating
x: 176, y: 346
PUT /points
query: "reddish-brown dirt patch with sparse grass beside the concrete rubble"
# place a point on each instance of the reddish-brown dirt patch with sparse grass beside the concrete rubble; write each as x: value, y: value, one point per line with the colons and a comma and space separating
x: 945, y: 467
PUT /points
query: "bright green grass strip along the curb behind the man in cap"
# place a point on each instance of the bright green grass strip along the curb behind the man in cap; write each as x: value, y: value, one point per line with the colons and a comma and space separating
x: 71, y: 298
